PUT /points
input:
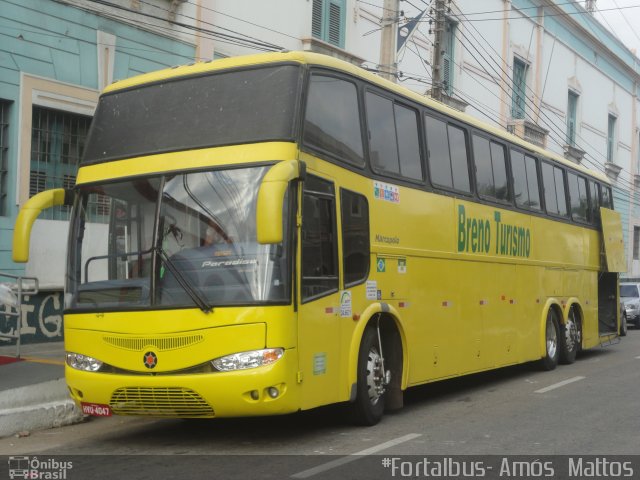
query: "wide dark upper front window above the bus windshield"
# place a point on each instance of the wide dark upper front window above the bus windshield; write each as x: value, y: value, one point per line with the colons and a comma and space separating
x: 226, y: 108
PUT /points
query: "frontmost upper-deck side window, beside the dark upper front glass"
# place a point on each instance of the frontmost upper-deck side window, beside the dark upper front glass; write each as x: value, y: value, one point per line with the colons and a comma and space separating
x: 332, y: 121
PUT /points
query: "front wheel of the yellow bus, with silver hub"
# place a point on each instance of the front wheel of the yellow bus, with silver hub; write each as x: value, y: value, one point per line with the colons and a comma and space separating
x: 368, y: 408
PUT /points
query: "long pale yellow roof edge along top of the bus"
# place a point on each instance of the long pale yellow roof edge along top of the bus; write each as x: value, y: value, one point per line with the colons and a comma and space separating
x: 310, y: 58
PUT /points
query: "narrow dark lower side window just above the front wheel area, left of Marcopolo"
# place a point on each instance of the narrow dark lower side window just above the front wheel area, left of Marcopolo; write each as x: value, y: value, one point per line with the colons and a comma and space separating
x: 355, y: 237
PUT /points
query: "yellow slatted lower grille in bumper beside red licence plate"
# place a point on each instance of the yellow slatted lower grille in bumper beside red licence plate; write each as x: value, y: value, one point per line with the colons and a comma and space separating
x: 160, y: 402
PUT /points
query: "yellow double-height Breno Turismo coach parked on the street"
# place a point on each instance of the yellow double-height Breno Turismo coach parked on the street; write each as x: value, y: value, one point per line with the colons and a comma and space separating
x: 271, y: 233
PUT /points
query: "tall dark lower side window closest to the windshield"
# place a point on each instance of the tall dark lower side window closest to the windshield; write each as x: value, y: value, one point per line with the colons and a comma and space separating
x: 319, y: 256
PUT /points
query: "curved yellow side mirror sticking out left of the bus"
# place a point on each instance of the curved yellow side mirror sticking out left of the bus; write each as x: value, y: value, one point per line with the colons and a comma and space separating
x: 28, y: 214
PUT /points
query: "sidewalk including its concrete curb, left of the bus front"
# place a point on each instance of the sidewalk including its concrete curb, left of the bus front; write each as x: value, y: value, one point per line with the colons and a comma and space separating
x: 33, y: 393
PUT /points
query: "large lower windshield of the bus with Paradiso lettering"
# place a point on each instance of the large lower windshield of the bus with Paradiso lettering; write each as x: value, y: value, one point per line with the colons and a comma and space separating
x: 173, y: 241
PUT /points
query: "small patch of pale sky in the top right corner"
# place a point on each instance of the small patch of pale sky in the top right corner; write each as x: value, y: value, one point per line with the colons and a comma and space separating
x: 624, y: 23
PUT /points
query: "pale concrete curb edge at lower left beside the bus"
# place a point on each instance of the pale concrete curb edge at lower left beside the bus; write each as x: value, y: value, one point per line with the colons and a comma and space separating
x: 36, y: 407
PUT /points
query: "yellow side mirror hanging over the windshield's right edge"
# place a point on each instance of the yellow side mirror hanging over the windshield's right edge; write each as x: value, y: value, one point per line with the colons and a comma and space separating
x: 270, y: 200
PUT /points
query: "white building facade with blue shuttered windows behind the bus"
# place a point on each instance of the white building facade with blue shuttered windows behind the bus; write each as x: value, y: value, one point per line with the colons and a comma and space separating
x: 545, y: 70
